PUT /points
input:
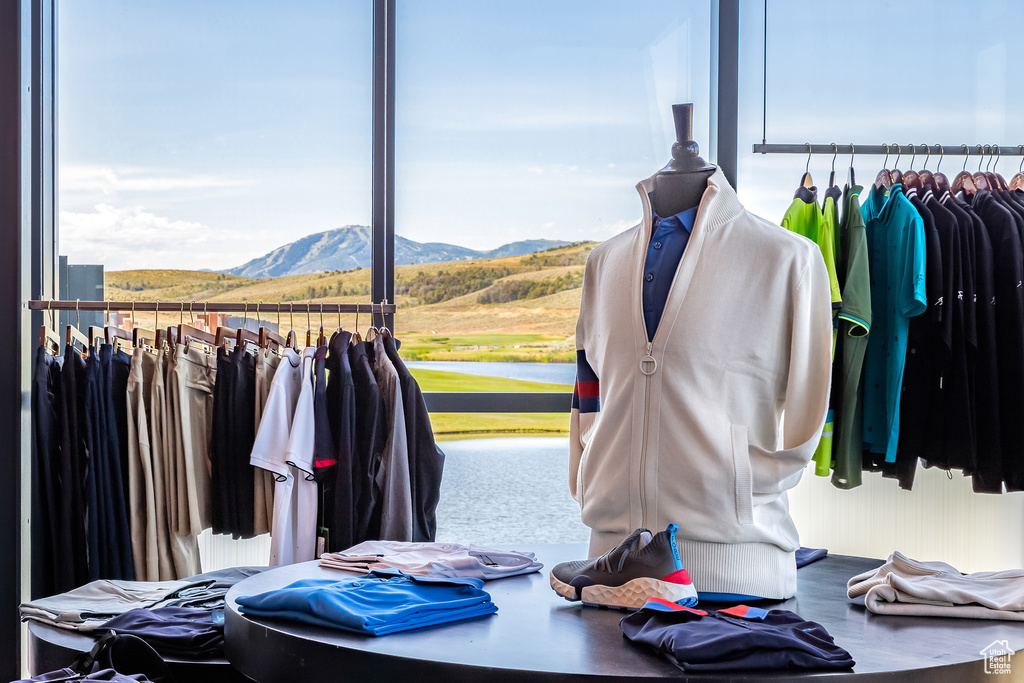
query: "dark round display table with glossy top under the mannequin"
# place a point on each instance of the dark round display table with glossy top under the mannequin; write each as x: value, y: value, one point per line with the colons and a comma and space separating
x: 538, y: 636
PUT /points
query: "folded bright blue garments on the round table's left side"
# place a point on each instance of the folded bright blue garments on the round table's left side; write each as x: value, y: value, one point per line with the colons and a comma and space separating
x: 381, y: 603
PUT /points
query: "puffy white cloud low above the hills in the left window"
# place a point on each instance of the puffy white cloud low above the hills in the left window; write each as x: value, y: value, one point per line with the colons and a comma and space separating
x: 134, y: 238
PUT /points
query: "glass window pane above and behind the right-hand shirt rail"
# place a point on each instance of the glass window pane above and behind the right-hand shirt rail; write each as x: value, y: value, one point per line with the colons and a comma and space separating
x: 874, y: 74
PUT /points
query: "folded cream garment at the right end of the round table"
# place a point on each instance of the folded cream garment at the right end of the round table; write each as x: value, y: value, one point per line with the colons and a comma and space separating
x: 904, y: 586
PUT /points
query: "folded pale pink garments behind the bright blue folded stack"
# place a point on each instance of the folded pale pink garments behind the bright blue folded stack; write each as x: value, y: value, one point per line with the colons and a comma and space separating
x: 445, y: 561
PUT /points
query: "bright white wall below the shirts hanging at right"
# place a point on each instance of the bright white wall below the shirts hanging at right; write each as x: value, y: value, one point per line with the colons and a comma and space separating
x: 940, y: 520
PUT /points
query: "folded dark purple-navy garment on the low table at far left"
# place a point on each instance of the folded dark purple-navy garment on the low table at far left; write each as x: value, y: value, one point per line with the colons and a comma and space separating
x: 178, y: 632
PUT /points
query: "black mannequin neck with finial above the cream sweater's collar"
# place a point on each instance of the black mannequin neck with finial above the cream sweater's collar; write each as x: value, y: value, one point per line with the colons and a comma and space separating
x: 681, y: 184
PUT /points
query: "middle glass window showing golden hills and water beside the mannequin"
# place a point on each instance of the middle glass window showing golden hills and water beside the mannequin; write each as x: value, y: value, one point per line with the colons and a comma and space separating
x: 519, y: 123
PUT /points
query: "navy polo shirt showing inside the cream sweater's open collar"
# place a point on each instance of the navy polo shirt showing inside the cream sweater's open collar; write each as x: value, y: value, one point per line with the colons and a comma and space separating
x: 668, y: 241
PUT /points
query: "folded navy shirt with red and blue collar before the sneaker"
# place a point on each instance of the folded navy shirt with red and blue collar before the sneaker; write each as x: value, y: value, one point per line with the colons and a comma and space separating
x: 740, y: 638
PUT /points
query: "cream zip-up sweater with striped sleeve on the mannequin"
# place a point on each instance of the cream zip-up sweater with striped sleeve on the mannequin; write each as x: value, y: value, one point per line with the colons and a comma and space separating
x: 691, y: 426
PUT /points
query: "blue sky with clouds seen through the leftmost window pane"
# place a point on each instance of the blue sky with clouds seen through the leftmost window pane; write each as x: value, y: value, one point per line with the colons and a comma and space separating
x: 198, y: 136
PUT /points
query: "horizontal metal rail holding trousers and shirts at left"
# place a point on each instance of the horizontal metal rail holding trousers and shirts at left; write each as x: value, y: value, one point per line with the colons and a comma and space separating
x: 212, y: 308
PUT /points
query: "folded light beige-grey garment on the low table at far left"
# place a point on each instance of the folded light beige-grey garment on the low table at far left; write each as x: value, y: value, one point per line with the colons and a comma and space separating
x: 92, y: 606
